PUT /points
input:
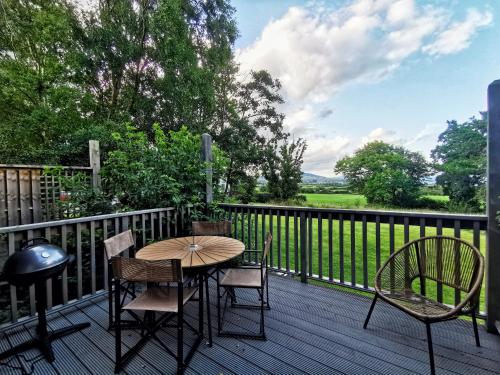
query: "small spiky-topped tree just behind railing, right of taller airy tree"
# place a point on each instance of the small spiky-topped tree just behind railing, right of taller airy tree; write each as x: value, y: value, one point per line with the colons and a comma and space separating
x: 283, y: 170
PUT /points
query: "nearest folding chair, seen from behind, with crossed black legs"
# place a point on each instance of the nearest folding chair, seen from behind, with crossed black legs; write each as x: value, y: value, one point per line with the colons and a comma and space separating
x: 169, y: 301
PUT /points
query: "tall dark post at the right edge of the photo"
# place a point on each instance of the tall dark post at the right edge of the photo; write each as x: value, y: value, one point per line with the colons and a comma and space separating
x: 493, y: 208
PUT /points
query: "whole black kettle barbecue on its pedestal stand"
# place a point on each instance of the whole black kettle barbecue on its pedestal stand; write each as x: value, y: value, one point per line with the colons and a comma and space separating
x: 37, y: 262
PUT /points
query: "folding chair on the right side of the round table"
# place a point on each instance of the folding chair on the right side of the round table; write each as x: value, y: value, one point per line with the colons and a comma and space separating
x: 247, y: 277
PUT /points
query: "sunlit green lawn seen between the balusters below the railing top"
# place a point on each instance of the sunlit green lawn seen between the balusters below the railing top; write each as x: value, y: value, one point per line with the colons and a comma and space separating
x: 280, y: 253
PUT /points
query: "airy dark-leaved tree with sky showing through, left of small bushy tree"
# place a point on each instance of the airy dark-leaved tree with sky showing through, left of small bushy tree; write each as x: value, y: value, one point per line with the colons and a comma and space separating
x: 247, y: 125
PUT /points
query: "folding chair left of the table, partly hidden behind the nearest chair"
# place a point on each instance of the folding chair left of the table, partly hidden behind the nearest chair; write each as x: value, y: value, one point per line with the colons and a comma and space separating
x: 116, y: 246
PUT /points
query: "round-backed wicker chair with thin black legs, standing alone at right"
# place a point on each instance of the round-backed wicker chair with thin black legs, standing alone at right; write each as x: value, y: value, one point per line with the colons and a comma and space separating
x: 444, y: 260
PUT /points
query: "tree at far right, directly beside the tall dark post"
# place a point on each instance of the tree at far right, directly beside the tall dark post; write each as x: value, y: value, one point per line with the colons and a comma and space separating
x: 460, y: 157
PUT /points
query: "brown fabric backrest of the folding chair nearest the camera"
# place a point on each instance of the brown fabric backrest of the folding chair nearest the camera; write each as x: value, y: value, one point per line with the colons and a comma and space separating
x: 158, y: 271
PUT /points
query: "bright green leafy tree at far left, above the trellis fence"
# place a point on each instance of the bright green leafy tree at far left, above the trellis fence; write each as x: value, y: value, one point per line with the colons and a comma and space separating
x: 41, y: 98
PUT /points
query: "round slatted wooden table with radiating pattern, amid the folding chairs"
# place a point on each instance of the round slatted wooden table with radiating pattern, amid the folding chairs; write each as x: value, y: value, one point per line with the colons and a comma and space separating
x: 198, y: 253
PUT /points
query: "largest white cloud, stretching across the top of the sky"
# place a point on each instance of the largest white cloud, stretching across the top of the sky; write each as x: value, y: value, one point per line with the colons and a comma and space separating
x: 315, y: 51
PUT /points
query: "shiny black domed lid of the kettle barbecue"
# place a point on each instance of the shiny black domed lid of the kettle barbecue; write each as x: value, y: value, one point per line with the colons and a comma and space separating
x: 36, y: 255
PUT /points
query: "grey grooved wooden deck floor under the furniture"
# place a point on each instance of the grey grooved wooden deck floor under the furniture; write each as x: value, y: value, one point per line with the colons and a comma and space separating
x: 310, y: 329
